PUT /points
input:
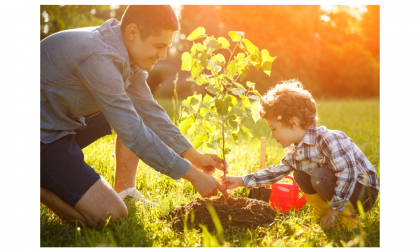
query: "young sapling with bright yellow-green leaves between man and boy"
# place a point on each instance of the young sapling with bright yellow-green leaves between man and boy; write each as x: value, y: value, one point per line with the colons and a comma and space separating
x: 215, y: 119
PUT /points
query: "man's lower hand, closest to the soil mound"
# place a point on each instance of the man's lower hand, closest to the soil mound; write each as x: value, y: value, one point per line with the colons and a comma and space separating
x: 205, y: 185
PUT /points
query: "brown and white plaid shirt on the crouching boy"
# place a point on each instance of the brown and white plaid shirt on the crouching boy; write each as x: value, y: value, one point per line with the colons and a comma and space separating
x: 322, y: 148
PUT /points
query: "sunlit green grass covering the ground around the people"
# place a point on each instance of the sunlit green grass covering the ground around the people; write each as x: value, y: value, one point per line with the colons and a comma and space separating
x: 359, y: 119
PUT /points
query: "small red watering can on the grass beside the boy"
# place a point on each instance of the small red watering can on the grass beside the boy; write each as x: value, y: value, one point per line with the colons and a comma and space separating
x: 285, y: 196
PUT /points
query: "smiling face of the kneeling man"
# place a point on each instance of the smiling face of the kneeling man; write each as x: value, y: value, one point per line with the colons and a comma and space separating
x: 146, y: 53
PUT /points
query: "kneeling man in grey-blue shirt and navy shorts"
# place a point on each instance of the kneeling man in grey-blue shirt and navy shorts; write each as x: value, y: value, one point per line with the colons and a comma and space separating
x: 93, y: 79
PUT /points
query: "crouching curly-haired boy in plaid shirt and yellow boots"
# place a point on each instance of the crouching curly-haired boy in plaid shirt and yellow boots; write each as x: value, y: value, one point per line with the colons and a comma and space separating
x: 329, y: 168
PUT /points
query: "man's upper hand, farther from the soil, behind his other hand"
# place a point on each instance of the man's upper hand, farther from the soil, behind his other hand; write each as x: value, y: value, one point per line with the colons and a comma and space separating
x: 204, y: 161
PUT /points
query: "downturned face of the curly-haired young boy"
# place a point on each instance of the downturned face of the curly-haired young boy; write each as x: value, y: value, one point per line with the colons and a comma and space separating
x: 283, y: 134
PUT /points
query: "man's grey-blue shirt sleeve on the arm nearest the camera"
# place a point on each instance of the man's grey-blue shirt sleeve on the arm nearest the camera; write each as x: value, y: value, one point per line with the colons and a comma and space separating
x: 102, y: 75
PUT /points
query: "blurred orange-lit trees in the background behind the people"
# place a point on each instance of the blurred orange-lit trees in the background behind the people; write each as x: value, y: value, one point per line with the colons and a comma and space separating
x: 332, y: 50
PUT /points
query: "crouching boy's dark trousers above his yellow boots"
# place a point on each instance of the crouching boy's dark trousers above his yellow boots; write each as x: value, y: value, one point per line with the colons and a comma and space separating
x: 323, y: 181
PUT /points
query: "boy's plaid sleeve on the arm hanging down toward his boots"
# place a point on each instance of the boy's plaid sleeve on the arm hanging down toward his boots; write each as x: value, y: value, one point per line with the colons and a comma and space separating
x: 340, y: 152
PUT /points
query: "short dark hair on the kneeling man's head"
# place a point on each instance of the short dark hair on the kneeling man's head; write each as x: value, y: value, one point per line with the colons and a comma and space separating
x: 150, y: 19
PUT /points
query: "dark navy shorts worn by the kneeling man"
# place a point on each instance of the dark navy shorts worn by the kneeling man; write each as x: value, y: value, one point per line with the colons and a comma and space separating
x: 63, y: 169
